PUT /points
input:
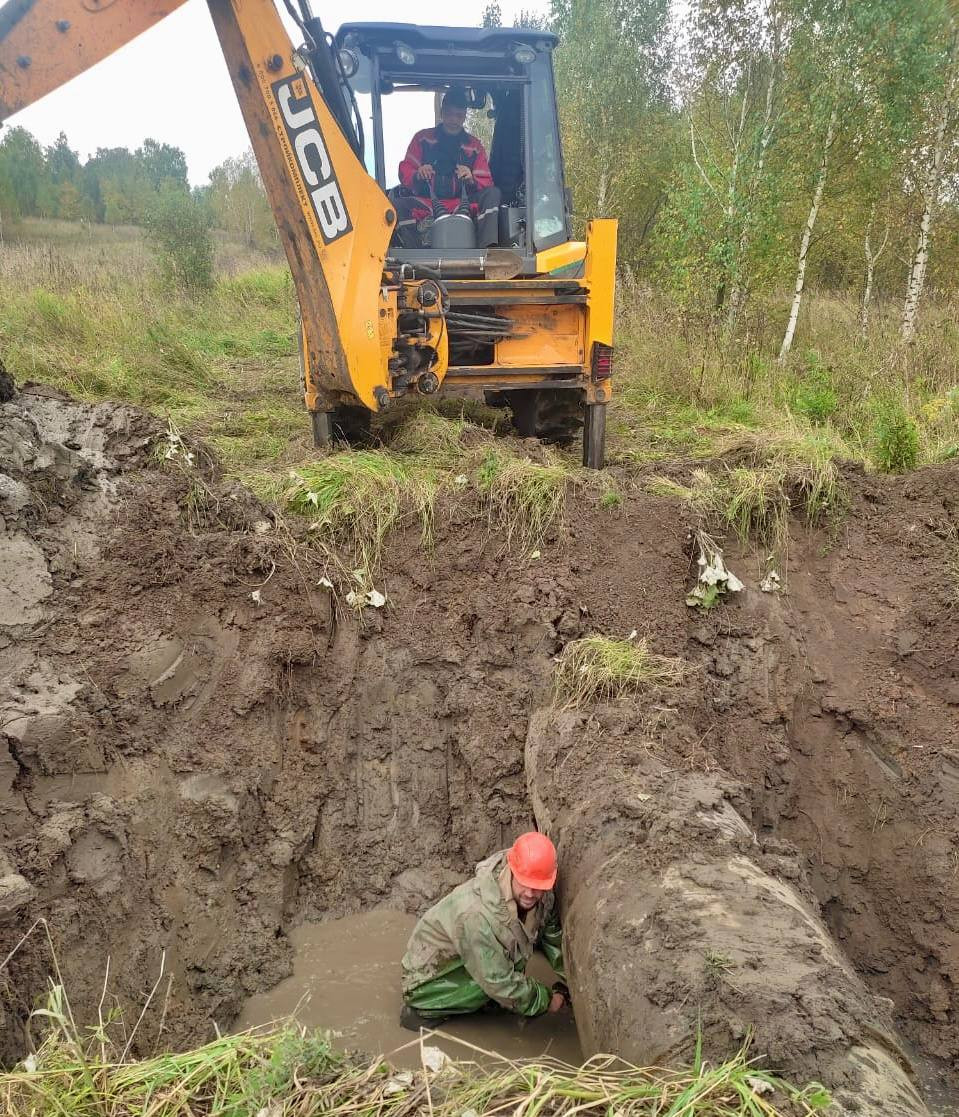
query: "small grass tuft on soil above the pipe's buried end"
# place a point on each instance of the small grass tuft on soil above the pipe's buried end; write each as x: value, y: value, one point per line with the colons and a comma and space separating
x: 598, y: 669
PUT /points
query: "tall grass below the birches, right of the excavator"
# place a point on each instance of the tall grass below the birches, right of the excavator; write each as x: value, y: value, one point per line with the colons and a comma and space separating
x: 680, y: 388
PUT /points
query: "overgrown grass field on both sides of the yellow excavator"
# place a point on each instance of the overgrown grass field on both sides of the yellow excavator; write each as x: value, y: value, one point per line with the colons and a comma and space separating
x: 82, y: 308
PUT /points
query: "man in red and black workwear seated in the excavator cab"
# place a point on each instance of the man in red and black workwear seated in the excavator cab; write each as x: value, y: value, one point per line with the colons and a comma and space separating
x: 449, y: 158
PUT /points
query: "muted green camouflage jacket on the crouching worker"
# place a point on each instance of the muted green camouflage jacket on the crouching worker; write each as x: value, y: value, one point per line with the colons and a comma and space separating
x: 478, y: 929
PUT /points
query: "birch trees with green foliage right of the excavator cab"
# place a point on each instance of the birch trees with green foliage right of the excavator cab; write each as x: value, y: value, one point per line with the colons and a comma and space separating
x: 755, y: 147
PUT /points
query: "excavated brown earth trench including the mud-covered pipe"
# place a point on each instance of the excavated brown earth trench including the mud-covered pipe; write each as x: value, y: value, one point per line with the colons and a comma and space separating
x: 204, y: 753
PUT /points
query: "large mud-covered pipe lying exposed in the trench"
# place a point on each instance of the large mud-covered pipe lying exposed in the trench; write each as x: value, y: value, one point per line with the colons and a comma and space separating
x: 678, y: 919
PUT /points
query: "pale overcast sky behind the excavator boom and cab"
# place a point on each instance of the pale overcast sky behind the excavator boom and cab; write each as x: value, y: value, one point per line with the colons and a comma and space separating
x: 171, y: 84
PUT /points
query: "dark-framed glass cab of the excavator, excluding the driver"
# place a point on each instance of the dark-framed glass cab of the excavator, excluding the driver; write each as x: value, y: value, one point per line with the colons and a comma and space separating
x: 398, y: 75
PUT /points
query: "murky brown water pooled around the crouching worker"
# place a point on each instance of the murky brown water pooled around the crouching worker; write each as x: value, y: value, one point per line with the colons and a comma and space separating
x: 347, y: 979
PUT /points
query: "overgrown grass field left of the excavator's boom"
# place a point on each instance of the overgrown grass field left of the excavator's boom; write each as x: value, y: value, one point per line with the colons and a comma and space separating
x: 82, y: 309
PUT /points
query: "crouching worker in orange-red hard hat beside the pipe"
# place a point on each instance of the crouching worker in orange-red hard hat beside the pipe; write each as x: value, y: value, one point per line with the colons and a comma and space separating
x: 469, y: 952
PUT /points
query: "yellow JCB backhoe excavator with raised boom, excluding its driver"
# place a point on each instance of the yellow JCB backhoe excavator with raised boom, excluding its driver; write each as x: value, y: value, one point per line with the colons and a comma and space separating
x: 529, y: 323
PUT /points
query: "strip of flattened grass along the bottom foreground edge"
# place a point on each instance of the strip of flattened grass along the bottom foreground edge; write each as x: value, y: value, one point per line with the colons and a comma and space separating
x: 285, y: 1072
